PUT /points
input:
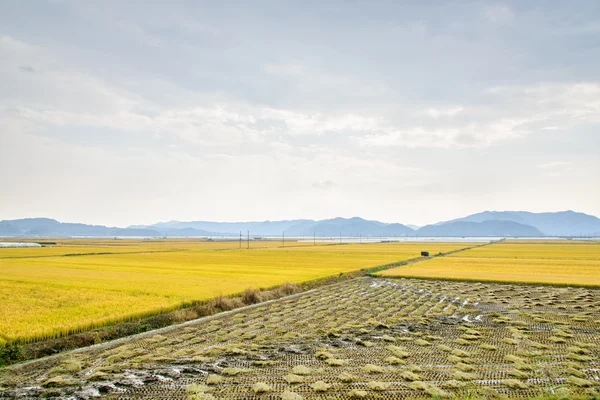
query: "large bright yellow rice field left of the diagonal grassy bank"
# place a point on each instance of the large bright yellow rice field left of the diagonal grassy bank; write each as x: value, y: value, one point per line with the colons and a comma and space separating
x: 51, y: 291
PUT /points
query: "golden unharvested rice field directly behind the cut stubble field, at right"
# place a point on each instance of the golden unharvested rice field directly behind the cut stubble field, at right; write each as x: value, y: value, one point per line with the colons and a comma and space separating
x: 558, y: 263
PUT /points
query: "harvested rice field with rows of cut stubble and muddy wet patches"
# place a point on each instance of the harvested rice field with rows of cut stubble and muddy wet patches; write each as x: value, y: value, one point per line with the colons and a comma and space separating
x: 373, y: 338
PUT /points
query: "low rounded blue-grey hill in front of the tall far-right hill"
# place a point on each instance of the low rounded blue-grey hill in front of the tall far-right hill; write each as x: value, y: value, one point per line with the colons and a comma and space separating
x: 484, y: 228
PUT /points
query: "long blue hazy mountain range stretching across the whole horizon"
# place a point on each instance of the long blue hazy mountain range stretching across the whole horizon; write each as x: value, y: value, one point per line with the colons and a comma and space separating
x: 487, y: 223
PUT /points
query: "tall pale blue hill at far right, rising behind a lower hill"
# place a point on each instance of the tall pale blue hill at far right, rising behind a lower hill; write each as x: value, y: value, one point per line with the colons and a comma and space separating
x: 564, y: 223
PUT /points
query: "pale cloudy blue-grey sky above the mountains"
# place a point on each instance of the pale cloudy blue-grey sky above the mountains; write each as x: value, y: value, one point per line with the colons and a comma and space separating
x: 120, y: 113
